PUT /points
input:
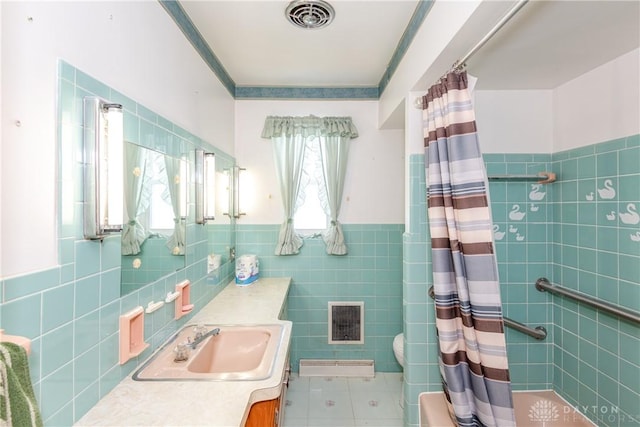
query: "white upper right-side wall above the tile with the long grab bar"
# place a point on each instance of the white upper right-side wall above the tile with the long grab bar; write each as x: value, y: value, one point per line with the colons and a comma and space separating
x: 600, y: 105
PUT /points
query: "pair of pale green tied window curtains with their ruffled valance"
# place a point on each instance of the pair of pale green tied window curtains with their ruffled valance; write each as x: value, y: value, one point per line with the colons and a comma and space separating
x: 289, y: 136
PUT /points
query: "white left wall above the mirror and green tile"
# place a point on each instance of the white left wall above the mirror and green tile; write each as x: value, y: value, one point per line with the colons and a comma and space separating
x: 133, y: 47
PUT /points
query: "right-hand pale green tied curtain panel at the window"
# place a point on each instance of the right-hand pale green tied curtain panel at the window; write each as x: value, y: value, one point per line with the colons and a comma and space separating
x: 334, y: 151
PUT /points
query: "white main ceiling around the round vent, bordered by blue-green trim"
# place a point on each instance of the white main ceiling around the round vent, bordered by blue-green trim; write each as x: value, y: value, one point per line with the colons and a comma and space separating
x: 259, y: 47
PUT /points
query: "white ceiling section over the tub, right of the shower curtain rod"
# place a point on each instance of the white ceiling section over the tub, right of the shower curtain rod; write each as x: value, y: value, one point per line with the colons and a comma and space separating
x: 551, y: 42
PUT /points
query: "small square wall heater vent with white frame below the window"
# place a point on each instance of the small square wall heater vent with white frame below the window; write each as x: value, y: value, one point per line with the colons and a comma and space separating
x: 346, y: 322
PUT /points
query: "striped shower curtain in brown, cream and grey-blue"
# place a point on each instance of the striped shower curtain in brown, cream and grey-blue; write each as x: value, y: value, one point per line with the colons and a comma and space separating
x: 473, y: 357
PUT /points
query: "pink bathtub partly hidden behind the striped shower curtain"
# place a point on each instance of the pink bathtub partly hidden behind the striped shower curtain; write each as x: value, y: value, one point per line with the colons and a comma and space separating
x: 533, y: 409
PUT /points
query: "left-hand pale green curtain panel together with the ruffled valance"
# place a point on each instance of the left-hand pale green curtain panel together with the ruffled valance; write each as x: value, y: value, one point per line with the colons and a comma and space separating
x: 289, y: 136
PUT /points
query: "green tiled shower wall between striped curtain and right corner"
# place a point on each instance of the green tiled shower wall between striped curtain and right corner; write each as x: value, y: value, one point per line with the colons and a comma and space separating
x: 522, y: 212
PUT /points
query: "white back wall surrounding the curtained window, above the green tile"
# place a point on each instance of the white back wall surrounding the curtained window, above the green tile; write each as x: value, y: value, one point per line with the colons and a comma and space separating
x: 374, y: 188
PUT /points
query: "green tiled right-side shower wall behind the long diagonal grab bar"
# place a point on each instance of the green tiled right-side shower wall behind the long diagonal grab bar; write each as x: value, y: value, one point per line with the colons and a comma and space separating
x: 596, y: 250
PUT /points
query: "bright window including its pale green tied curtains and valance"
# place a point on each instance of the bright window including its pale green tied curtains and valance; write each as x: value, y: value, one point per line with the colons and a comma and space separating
x: 293, y: 163
